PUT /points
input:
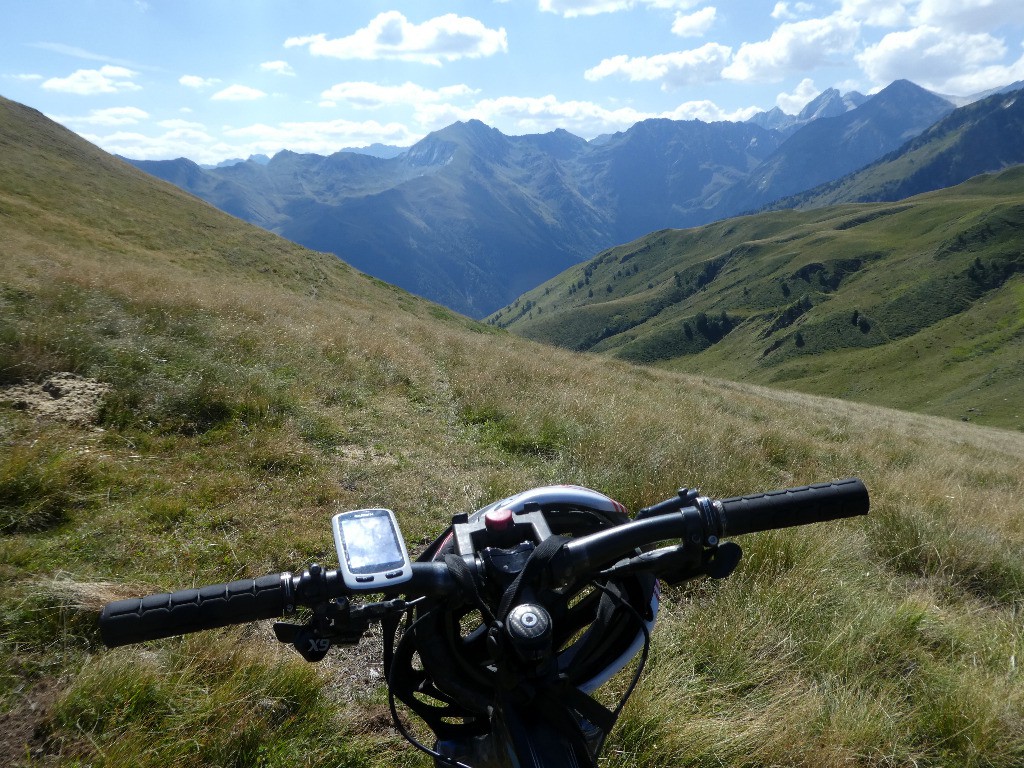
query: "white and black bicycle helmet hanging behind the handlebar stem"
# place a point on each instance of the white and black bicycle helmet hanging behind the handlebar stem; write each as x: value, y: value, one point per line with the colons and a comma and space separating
x: 447, y: 674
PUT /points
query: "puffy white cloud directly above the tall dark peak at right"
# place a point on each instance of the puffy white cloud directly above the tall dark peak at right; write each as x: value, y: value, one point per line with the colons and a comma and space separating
x: 940, y: 60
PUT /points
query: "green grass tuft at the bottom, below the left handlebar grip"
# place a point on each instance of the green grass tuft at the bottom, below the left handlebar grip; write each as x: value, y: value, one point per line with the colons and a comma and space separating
x: 162, y: 710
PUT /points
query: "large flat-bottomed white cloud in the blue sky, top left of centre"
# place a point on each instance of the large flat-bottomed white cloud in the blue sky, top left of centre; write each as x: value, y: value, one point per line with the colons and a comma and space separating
x: 393, y: 36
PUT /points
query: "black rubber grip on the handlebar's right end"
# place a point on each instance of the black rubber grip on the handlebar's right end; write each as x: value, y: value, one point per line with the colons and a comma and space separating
x: 800, y: 506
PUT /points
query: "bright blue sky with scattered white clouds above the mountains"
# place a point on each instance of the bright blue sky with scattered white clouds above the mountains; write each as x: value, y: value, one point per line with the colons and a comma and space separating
x: 212, y: 80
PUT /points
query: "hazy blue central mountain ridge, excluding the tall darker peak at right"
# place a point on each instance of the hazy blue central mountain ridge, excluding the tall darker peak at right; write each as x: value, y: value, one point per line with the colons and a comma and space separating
x: 472, y: 218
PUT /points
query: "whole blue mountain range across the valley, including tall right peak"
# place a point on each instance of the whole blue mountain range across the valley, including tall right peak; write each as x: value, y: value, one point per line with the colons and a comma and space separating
x: 473, y: 219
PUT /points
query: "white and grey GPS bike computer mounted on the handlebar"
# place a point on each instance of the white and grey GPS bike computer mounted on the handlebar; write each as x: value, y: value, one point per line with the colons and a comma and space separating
x: 371, y: 550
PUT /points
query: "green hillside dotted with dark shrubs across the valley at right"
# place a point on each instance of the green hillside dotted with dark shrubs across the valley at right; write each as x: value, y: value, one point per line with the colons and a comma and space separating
x: 917, y: 306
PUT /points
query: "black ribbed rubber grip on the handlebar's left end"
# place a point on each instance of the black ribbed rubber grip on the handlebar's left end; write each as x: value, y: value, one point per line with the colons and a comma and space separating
x: 138, y: 620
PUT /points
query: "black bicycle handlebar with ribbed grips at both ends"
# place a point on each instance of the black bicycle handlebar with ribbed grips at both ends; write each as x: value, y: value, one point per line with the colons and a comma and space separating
x: 166, y: 615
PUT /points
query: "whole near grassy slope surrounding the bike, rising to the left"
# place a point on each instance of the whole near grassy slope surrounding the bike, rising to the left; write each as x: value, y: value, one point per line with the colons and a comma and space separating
x: 254, y: 388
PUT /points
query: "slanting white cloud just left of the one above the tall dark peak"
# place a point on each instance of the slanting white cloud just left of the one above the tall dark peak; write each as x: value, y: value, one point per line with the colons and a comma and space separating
x: 799, y: 47
